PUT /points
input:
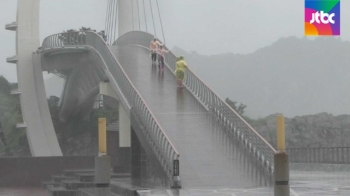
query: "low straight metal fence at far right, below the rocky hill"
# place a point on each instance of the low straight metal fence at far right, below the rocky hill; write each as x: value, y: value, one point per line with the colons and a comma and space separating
x: 332, y: 155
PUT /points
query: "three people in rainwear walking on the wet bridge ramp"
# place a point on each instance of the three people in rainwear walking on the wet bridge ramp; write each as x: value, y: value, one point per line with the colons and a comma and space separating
x: 157, y: 54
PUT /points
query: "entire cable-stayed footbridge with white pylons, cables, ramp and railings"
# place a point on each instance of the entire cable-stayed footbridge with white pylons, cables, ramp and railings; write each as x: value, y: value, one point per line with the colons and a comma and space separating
x: 186, y: 135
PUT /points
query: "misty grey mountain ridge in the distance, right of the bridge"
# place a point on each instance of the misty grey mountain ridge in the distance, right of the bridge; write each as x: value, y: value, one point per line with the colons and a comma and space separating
x: 293, y: 76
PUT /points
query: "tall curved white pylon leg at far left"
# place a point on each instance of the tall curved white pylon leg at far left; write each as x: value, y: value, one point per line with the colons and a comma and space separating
x: 36, y: 114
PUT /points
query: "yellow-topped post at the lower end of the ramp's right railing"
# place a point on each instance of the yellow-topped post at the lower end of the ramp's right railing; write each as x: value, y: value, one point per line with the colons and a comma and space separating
x: 281, y: 161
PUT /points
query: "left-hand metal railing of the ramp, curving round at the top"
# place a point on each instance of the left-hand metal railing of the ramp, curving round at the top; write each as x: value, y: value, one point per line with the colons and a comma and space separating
x: 157, y: 138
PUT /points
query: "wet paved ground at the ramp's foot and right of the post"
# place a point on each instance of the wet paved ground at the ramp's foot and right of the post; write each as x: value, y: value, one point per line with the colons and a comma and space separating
x: 302, y: 184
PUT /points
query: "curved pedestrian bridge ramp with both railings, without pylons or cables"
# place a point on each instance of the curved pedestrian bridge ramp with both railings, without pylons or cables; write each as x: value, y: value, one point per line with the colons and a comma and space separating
x: 191, y: 133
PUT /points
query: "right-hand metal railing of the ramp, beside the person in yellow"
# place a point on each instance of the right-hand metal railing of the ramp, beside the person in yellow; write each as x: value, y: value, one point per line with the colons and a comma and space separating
x: 250, y: 138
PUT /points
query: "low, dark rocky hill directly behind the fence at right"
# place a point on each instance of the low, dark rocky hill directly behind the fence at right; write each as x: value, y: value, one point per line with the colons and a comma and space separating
x: 318, y: 130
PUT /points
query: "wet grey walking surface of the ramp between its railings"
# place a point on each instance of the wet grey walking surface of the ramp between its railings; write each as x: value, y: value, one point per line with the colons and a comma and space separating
x: 208, y: 157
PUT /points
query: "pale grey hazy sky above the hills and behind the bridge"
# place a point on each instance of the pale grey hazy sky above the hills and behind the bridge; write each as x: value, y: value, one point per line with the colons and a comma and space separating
x: 205, y: 26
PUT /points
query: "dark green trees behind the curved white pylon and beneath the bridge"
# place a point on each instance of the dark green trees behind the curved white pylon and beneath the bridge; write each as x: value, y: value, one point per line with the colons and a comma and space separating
x: 17, y: 143
